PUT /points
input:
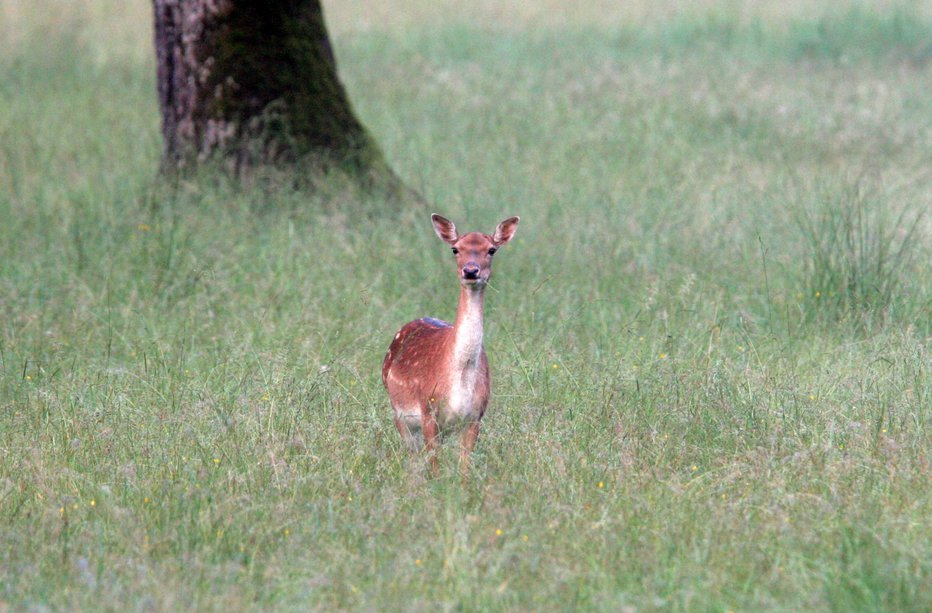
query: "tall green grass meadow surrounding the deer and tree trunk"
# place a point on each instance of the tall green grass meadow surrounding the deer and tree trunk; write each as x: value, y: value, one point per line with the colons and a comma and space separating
x: 709, y: 340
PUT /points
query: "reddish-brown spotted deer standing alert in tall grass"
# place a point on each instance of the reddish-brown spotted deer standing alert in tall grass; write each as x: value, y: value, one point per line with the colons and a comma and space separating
x: 437, y: 374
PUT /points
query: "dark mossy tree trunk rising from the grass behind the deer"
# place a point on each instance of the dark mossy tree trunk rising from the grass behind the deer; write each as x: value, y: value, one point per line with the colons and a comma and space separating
x: 252, y: 83
